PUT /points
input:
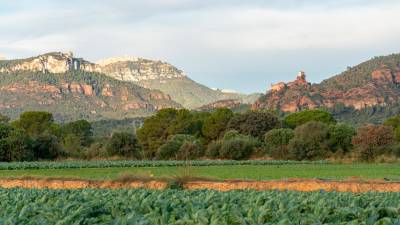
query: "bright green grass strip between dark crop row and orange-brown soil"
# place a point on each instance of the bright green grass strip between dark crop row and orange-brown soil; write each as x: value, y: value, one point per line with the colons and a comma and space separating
x: 251, y: 172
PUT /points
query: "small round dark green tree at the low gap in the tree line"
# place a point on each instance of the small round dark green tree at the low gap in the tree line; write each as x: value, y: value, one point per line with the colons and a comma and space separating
x: 124, y: 144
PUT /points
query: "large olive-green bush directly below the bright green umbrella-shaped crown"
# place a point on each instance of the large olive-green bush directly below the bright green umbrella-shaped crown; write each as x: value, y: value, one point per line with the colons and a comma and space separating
x: 310, y: 141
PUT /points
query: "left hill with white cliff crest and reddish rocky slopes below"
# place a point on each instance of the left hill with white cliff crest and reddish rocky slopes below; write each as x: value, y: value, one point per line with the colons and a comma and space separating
x: 72, y: 88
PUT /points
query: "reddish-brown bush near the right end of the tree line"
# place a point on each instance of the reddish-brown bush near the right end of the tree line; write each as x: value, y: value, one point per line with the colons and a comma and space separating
x: 372, y: 141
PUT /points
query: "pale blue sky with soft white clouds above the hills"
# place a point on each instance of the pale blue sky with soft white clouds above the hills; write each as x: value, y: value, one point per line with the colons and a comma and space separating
x: 228, y: 44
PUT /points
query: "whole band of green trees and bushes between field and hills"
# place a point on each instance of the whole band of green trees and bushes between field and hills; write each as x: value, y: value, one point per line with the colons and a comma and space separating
x: 173, y: 134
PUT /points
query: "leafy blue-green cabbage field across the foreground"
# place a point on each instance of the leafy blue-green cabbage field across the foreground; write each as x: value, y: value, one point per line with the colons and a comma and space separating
x: 88, y: 206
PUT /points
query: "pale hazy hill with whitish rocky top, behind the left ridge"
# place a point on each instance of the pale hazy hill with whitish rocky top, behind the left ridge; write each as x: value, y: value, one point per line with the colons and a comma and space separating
x: 163, y: 76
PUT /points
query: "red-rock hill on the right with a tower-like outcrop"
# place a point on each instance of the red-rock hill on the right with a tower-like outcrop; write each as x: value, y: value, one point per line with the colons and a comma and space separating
x: 370, y: 90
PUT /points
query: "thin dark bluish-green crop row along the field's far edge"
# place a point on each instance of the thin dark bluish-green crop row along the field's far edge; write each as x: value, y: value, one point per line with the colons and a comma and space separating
x: 141, y: 163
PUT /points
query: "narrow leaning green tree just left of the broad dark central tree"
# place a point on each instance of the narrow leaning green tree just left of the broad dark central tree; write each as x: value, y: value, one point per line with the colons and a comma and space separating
x: 215, y: 125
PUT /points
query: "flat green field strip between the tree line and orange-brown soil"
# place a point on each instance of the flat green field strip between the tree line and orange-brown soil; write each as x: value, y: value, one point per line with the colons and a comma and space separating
x: 247, y: 170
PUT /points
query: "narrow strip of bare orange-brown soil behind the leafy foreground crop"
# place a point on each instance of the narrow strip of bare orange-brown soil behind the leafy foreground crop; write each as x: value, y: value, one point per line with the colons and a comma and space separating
x: 291, y: 184
